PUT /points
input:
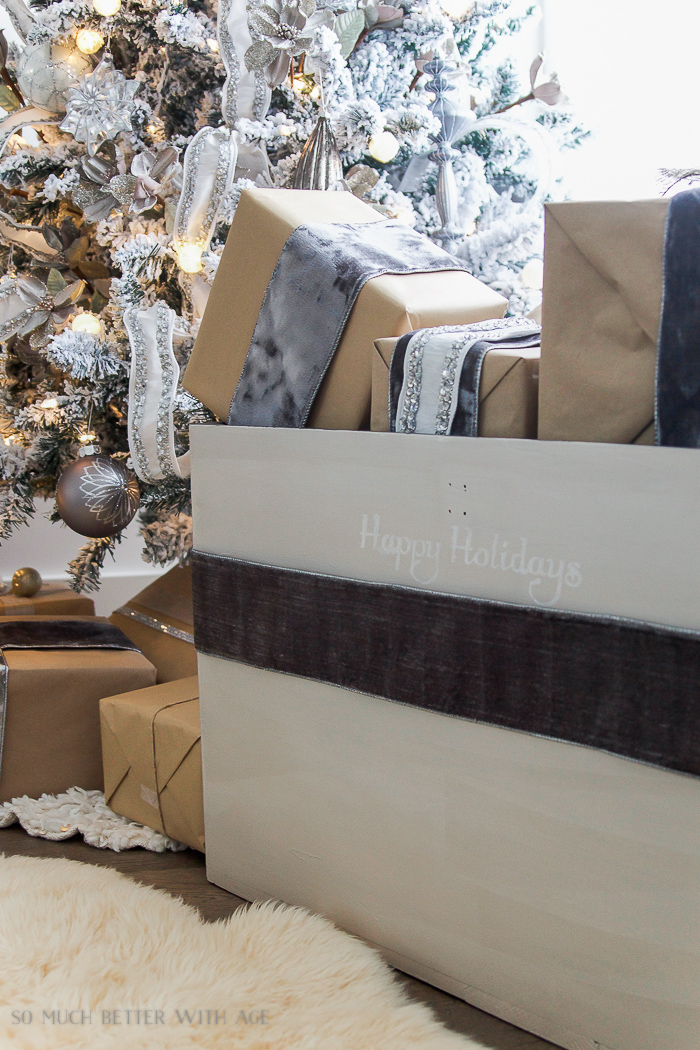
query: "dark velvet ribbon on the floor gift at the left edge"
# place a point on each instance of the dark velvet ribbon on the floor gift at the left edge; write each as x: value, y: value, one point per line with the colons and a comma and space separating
x: 33, y: 634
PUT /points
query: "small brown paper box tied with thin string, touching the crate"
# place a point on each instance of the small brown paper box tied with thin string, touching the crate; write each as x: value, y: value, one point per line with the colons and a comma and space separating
x: 153, y: 759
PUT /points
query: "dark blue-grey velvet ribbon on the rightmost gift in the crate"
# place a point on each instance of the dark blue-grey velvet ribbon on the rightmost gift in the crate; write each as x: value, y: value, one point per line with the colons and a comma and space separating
x: 678, y: 363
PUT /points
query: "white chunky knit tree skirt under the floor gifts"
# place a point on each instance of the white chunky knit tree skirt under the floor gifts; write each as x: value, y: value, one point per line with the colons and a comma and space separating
x: 79, y: 812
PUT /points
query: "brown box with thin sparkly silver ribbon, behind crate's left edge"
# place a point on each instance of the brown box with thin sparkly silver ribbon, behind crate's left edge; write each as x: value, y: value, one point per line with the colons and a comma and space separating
x: 159, y: 621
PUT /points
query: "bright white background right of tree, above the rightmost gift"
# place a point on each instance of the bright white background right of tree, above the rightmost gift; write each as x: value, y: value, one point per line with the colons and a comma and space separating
x: 631, y: 70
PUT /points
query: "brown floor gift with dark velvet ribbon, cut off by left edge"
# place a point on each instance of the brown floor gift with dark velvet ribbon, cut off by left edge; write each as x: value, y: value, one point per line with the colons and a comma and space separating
x: 53, y: 675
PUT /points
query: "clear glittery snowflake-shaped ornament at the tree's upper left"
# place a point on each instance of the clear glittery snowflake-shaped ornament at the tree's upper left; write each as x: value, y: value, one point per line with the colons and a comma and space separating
x: 101, y: 107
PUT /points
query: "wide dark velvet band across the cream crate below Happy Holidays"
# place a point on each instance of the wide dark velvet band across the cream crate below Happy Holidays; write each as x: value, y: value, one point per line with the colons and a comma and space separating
x: 623, y: 687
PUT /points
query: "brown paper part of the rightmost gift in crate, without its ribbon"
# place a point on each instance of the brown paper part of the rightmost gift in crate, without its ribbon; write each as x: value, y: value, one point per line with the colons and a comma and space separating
x: 602, y: 304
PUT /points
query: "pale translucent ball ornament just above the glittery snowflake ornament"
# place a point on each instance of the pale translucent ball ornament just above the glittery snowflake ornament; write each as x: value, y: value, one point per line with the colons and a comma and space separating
x: 47, y: 72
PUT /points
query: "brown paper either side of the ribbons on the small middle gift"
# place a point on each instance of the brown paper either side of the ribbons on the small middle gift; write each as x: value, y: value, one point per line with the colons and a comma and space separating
x: 507, y: 392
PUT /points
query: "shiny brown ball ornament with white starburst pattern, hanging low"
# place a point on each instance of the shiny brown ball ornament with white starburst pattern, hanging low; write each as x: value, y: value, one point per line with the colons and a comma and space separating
x: 97, y: 496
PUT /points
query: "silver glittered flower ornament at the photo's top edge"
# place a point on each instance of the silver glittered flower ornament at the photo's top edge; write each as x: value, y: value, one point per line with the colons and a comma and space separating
x: 283, y: 31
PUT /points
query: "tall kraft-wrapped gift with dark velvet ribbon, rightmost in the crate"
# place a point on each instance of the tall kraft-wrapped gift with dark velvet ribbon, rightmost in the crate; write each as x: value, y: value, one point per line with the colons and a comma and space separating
x: 622, y: 323
